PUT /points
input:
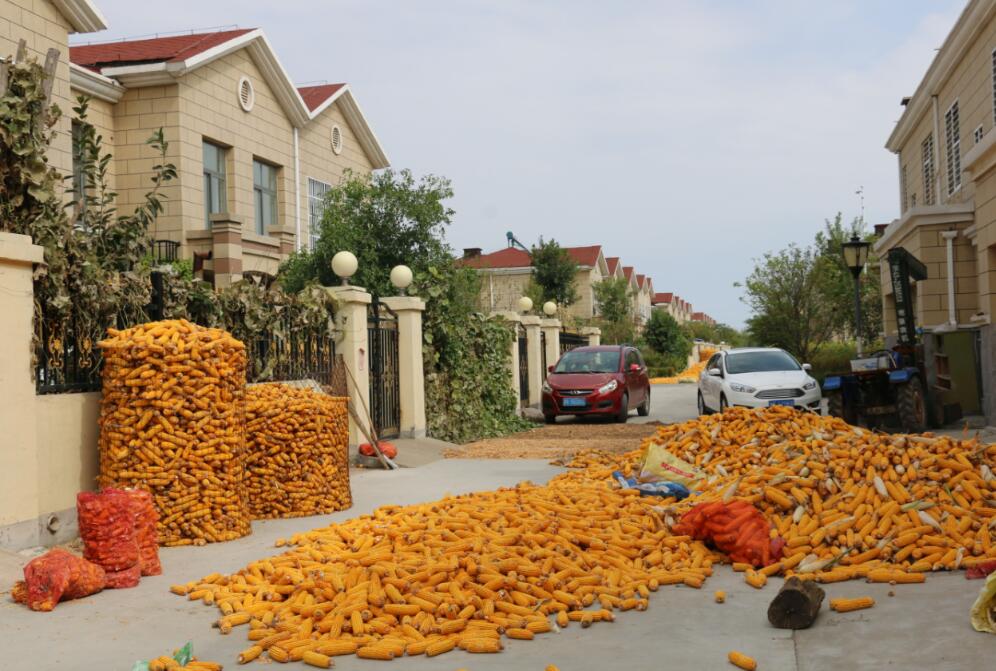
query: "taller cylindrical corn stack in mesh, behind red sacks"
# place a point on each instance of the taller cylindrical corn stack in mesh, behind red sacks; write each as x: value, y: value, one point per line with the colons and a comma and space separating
x: 172, y: 422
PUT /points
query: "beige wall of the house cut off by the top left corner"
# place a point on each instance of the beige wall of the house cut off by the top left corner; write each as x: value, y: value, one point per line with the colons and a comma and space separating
x: 41, y: 25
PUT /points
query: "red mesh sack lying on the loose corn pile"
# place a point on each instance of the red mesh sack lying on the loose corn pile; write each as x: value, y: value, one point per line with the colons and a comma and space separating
x: 736, y: 528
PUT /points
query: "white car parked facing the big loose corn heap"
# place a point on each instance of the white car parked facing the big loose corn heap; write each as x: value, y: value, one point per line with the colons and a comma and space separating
x: 756, y: 377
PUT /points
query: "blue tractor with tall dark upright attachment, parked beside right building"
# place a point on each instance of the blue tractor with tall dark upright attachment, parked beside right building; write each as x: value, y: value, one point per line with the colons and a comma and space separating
x: 889, y: 387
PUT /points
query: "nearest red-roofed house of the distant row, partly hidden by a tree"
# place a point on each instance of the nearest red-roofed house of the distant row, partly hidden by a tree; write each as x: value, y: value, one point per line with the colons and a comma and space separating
x: 506, y: 274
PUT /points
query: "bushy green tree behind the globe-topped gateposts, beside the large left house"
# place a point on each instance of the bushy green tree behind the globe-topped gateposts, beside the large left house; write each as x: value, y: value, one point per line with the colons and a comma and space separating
x: 386, y: 219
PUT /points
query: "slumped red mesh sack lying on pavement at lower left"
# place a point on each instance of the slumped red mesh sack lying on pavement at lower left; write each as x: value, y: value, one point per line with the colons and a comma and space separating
x: 58, y: 575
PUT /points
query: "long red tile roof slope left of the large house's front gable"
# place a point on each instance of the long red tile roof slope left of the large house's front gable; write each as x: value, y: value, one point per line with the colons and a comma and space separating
x: 154, y: 50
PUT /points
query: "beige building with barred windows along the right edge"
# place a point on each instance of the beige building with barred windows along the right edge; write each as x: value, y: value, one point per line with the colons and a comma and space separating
x: 945, y: 147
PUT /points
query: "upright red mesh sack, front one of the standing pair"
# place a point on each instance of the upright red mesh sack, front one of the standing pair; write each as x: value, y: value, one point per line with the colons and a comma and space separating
x: 107, y: 527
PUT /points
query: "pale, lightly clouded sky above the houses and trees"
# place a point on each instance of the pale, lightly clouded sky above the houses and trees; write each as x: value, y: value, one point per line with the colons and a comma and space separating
x: 686, y: 137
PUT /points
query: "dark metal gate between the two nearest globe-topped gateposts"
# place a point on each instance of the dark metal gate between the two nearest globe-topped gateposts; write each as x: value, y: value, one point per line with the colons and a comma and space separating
x: 385, y: 394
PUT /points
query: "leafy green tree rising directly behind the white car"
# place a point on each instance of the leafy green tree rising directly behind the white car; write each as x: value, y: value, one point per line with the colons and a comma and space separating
x: 790, y: 309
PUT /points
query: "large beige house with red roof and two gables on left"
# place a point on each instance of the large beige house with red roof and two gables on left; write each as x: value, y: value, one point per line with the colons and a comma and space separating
x: 254, y: 153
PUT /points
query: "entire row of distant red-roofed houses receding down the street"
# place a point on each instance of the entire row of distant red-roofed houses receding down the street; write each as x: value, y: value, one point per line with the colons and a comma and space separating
x: 506, y: 274
